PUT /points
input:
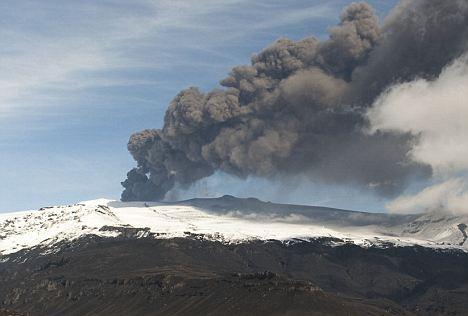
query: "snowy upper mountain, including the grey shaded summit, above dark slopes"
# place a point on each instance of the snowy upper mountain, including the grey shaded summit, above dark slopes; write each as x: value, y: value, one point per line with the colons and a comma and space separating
x: 226, y: 219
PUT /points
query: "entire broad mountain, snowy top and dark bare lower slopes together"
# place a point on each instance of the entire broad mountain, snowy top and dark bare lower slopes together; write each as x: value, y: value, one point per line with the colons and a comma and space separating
x: 243, y: 256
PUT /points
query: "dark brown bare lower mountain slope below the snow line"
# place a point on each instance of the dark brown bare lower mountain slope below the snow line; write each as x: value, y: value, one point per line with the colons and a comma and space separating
x: 193, y: 276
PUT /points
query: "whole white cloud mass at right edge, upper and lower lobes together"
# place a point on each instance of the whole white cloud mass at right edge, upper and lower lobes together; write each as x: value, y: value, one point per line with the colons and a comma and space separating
x: 437, y: 112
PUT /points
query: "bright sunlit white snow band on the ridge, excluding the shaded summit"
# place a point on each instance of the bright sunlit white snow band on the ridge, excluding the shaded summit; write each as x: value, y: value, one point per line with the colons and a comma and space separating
x: 48, y: 226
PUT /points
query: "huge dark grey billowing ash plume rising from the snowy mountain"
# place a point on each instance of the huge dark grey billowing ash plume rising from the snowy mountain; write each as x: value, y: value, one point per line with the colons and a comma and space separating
x: 300, y: 107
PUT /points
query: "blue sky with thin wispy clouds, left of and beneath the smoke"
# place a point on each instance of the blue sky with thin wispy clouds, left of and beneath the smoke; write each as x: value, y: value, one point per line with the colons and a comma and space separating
x: 78, y: 77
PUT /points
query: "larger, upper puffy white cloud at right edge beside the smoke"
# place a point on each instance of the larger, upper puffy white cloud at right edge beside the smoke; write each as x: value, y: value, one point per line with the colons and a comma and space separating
x: 436, y: 110
